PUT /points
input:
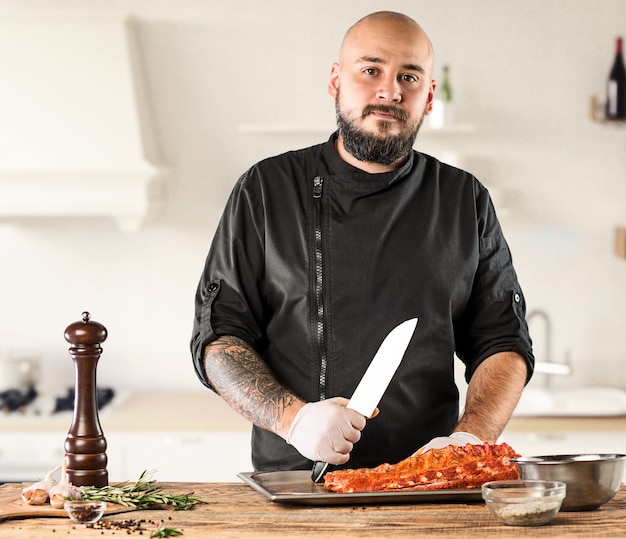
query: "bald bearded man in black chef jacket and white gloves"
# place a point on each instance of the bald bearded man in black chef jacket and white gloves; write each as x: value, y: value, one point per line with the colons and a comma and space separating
x: 322, y: 251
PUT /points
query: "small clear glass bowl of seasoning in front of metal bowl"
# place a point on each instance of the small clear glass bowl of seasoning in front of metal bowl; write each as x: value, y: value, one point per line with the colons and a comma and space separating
x: 524, y: 502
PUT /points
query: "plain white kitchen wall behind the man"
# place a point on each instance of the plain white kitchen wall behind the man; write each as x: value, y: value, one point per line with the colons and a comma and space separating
x: 523, y: 73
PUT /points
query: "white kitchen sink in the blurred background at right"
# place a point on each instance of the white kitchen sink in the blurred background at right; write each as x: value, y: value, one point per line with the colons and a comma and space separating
x: 575, y: 401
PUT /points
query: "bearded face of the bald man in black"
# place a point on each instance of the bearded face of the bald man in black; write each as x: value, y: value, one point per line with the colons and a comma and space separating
x: 382, y: 89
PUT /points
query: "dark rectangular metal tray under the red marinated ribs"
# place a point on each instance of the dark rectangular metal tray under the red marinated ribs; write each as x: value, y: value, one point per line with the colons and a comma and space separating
x: 296, y: 487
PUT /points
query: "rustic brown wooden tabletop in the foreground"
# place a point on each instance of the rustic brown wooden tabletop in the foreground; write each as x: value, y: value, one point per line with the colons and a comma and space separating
x: 237, y: 510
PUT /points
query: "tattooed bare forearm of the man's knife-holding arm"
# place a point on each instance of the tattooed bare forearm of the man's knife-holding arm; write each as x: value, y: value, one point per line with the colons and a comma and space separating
x: 245, y: 382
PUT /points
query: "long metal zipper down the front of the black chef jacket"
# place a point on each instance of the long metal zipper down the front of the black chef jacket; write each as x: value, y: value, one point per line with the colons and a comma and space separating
x: 320, y: 315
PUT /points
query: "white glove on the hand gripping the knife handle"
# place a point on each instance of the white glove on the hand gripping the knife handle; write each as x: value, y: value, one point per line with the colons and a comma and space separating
x: 326, y: 430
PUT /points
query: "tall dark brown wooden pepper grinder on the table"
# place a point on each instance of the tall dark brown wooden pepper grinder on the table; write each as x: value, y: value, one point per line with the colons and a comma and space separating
x: 85, y: 445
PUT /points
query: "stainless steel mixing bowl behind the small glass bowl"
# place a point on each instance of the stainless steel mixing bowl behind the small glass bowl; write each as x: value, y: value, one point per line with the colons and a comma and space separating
x: 591, y: 479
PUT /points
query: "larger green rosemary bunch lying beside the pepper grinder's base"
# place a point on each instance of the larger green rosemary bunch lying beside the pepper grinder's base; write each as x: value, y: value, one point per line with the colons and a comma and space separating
x: 143, y: 494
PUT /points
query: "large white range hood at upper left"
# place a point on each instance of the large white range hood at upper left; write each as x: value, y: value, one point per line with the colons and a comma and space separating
x: 75, y: 133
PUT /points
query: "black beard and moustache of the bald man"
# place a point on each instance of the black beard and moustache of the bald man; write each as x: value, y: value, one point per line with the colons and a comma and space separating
x: 365, y: 146
